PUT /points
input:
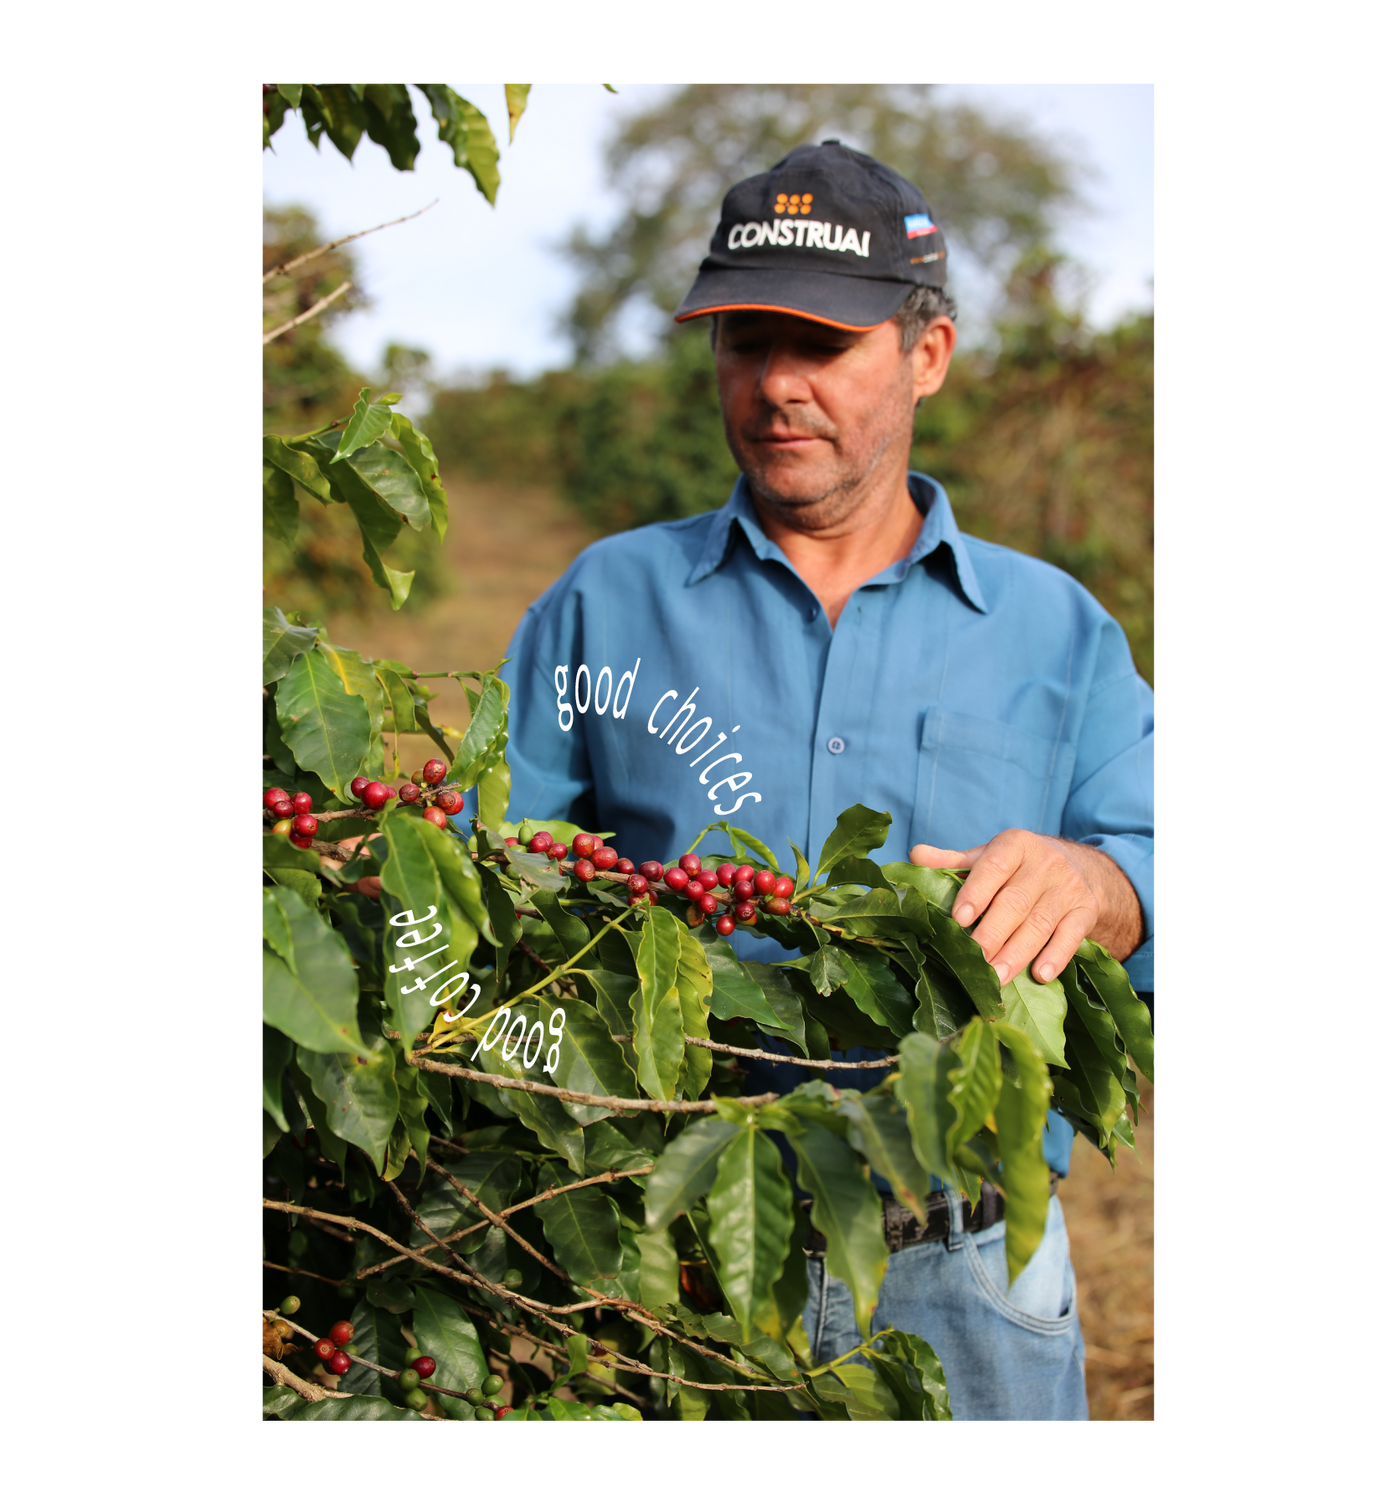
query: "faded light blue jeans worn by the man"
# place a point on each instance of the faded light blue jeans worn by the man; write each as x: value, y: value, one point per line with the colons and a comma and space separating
x: 1009, y: 1357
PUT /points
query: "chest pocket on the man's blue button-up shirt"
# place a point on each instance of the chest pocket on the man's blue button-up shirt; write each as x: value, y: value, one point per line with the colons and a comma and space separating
x: 977, y: 778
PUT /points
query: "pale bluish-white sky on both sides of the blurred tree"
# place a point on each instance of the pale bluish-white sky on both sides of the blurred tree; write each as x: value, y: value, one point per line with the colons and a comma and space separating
x: 483, y: 289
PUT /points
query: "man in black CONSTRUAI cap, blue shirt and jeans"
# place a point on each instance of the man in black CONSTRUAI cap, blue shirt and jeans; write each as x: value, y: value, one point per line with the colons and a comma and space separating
x: 830, y: 638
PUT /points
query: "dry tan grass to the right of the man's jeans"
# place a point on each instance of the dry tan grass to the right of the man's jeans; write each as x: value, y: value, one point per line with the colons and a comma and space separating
x: 1113, y: 1223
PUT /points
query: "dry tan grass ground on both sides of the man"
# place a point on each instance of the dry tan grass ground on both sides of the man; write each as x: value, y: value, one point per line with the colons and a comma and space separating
x: 506, y: 546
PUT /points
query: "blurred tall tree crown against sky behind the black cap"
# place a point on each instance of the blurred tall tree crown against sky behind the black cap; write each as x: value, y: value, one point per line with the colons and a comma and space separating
x: 997, y: 189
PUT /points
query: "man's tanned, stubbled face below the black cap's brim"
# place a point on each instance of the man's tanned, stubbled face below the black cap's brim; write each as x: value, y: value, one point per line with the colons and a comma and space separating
x: 815, y: 415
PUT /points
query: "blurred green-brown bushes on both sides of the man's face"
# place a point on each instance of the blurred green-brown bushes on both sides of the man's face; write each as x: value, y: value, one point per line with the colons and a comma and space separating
x: 1045, y: 439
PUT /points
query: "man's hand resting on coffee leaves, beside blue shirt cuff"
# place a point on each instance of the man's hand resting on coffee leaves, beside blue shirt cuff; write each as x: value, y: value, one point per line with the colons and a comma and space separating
x: 1041, y: 896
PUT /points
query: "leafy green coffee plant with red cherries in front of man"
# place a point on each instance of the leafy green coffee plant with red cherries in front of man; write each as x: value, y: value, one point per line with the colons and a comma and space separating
x: 501, y: 1084
